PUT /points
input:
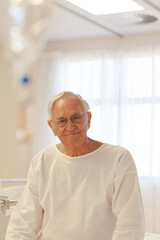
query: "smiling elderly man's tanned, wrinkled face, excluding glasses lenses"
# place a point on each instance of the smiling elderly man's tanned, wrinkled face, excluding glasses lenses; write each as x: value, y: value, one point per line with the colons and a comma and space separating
x: 72, y: 133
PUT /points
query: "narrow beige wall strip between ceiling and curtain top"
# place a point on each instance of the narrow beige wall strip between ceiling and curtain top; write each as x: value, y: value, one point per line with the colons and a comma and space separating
x: 109, y: 43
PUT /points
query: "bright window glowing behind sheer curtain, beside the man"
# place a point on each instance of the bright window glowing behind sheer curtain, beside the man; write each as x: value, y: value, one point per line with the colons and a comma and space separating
x: 124, y: 96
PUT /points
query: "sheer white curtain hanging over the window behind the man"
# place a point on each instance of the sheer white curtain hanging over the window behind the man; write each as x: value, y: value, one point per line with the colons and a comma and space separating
x: 123, y: 90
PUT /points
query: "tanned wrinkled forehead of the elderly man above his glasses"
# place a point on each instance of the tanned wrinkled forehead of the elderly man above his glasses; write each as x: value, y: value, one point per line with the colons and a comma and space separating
x: 71, y: 104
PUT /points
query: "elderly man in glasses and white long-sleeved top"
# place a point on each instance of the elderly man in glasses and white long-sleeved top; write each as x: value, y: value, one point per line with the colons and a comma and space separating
x: 80, y: 189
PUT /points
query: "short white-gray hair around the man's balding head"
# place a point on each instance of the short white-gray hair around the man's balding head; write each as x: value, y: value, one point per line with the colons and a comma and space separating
x: 56, y: 97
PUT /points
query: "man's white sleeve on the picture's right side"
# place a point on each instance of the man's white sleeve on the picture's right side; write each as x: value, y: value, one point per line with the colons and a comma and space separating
x: 127, y: 202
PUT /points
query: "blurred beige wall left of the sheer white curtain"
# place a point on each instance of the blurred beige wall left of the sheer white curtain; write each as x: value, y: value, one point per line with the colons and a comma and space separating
x: 15, y: 153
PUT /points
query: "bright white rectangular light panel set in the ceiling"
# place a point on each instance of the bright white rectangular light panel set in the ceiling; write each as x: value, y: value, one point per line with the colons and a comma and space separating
x: 103, y: 7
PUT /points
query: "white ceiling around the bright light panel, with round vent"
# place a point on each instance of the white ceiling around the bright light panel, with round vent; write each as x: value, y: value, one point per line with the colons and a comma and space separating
x: 69, y: 22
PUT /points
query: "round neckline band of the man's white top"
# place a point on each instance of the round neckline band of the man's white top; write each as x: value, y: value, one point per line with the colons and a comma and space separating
x: 81, y: 157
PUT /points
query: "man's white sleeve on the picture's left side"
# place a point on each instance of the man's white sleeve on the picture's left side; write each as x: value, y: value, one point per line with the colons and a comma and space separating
x: 26, y: 220
